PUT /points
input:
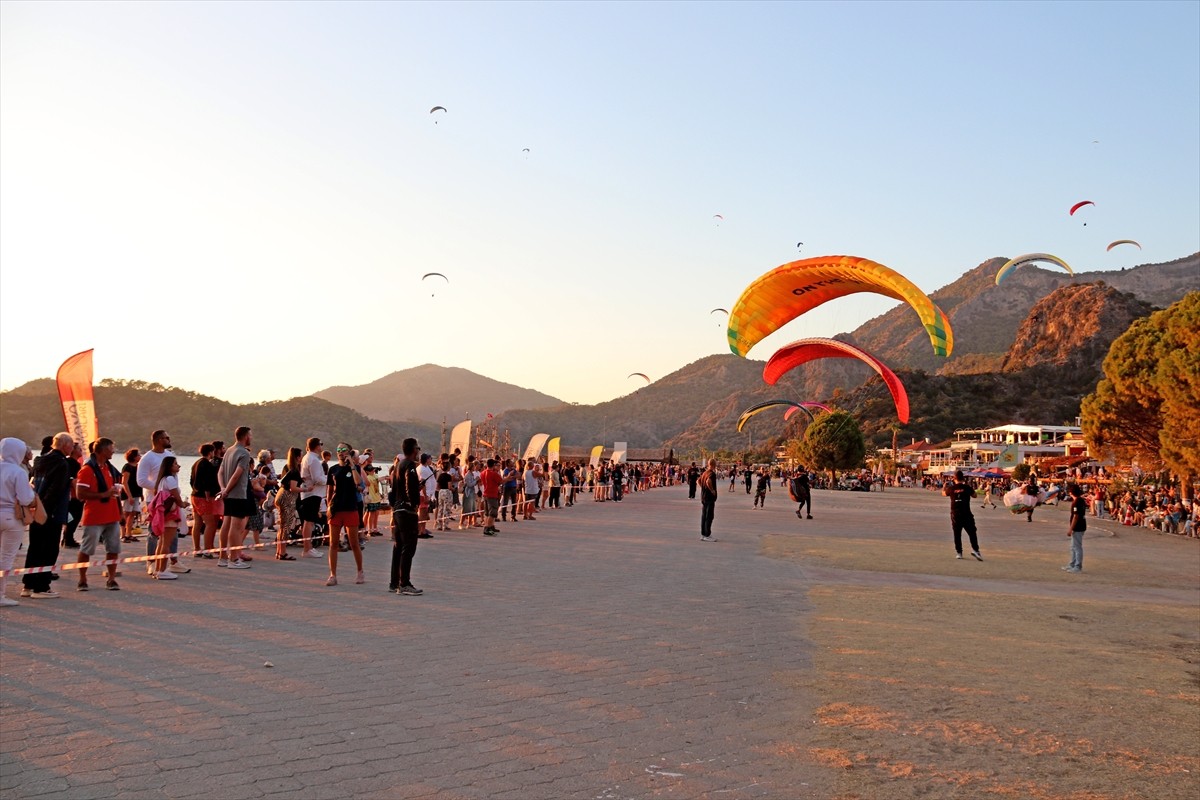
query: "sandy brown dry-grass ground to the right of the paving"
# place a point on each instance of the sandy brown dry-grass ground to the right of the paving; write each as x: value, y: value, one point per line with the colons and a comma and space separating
x: 945, y: 693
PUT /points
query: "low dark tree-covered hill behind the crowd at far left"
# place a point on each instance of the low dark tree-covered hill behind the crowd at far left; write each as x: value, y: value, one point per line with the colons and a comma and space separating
x: 130, y: 411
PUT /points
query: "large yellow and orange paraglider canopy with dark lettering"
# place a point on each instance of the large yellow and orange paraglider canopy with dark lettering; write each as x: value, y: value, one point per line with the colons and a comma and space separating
x: 785, y: 293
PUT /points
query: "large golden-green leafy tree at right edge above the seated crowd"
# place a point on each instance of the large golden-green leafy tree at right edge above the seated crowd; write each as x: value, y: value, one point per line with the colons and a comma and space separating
x: 1148, y: 406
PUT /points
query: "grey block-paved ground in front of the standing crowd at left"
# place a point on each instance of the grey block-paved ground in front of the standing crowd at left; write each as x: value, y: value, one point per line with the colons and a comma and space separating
x: 601, y: 652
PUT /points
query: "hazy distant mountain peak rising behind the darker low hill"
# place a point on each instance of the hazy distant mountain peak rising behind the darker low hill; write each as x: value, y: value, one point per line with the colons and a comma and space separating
x: 431, y: 393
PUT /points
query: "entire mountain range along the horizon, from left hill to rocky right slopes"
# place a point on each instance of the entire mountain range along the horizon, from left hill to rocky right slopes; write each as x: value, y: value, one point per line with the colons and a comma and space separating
x: 1025, y: 352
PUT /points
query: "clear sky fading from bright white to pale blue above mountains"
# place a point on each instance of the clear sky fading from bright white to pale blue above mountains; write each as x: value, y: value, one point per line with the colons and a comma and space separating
x: 241, y: 199
